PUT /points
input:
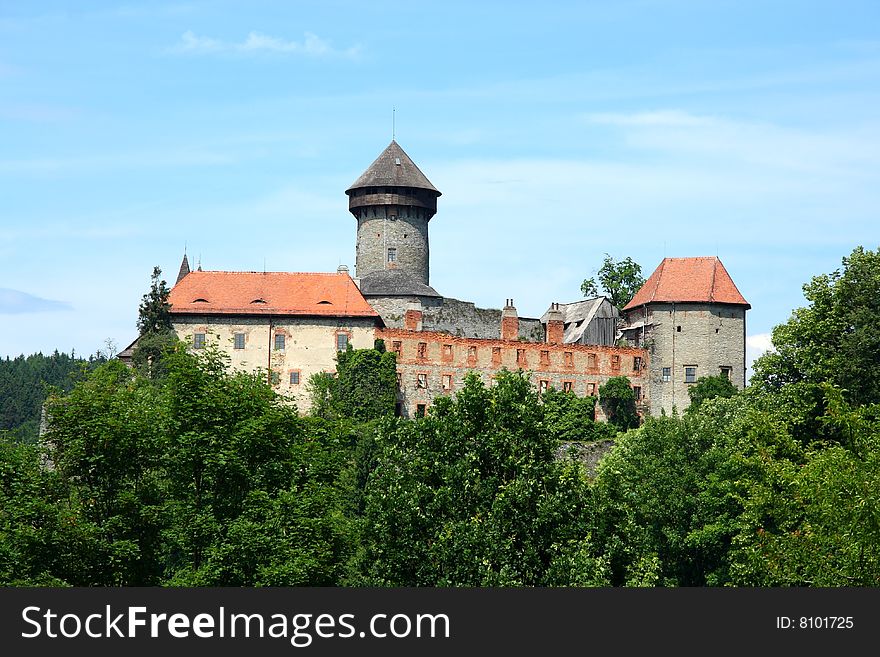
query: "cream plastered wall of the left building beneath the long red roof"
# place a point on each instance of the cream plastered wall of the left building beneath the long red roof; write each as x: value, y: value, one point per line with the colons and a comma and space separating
x: 309, y: 345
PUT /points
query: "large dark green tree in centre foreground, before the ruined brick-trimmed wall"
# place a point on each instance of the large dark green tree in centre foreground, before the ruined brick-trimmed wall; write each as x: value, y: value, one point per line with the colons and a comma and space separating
x: 472, y: 496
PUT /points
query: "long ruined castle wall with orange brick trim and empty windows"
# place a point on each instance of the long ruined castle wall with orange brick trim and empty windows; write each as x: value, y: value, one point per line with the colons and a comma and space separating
x: 430, y: 364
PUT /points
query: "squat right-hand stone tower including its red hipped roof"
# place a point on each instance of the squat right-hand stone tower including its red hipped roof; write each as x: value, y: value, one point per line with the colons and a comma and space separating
x: 691, y: 318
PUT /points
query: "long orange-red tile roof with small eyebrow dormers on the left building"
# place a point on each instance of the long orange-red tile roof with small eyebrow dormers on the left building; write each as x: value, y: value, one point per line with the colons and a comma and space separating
x: 271, y: 293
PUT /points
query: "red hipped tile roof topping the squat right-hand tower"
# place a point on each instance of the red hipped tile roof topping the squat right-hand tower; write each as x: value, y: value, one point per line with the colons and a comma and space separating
x: 701, y: 280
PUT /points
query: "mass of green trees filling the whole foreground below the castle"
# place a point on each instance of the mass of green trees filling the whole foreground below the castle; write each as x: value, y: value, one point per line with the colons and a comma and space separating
x: 182, y: 473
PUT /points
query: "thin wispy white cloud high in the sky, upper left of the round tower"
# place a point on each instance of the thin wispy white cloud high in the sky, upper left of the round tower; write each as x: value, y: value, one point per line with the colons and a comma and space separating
x: 311, y: 46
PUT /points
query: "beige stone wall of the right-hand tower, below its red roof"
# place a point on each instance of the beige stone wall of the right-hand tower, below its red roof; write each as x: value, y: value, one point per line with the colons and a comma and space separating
x: 703, y: 336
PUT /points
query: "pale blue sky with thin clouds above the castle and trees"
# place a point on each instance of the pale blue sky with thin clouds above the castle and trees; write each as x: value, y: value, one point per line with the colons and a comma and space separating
x: 557, y: 132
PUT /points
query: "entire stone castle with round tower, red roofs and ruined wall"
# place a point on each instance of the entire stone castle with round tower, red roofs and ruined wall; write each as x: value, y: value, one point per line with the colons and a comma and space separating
x: 687, y: 321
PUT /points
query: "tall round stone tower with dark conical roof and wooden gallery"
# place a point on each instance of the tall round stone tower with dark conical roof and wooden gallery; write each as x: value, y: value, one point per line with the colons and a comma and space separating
x: 393, y: 201
